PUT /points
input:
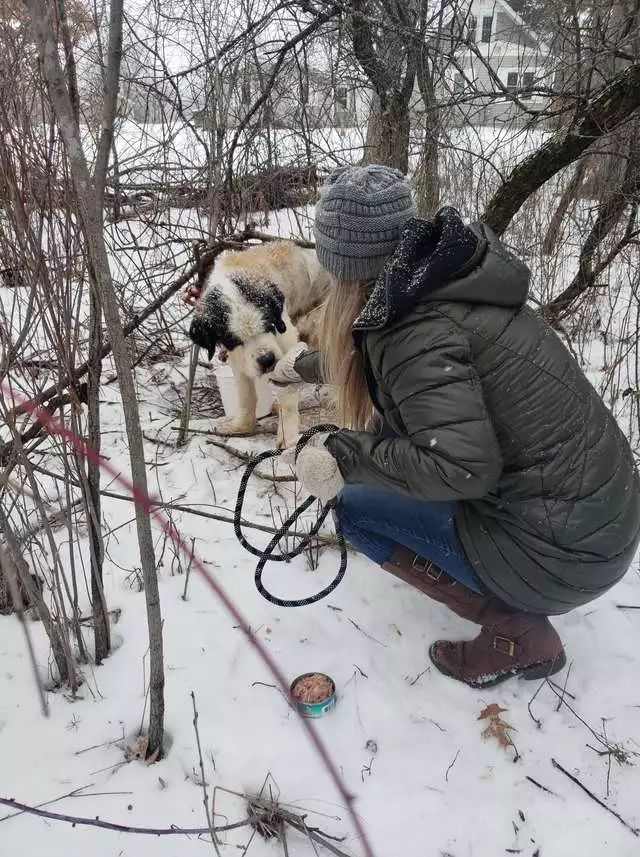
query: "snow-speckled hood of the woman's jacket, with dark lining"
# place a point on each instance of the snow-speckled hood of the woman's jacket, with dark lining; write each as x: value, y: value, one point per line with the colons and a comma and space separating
x: 444, y: 260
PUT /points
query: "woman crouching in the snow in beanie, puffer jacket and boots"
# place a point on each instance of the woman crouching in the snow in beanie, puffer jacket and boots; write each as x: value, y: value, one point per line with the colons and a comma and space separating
x: 497, y: 482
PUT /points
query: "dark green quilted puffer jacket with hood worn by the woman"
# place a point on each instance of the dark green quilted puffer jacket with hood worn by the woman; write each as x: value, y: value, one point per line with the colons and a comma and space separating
x: 486, y: 406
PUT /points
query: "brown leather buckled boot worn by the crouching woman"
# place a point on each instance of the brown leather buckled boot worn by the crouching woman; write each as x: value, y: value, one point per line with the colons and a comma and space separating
x: 510, y: 643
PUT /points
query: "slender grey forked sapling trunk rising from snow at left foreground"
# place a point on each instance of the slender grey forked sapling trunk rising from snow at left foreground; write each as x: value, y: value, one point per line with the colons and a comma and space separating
x: 89, y: 196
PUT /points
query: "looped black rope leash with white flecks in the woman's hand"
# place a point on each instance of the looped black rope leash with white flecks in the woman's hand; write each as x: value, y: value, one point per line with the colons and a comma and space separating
x: 268, y: 554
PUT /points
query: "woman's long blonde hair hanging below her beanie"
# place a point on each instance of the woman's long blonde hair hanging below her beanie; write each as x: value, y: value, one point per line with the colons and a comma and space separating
x: 343, y: 366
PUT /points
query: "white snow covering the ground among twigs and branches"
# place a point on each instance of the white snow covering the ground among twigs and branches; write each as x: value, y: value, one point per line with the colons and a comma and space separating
x: 406, y: 739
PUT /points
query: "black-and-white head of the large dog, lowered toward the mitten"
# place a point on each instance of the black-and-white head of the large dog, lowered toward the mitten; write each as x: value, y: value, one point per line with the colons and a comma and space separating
x: 245, y: 315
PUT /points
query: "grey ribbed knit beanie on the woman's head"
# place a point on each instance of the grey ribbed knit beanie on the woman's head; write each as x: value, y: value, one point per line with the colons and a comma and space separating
x: 359, y: 220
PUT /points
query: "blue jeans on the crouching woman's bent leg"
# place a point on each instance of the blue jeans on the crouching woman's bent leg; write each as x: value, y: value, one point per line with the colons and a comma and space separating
x: 374, y: 521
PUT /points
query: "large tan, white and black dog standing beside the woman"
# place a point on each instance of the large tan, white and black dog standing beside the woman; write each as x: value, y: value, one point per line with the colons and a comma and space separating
x: 255, y: 305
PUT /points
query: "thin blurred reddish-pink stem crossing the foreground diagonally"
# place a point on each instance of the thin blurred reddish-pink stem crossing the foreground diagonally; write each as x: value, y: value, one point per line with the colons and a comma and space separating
x: 54, y: 427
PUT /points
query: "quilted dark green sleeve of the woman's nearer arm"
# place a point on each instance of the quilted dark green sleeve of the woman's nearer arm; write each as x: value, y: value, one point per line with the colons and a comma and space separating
x: 450, y: 451
